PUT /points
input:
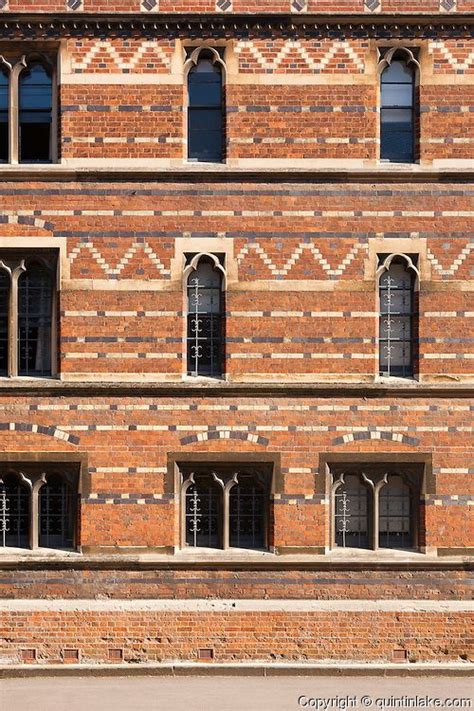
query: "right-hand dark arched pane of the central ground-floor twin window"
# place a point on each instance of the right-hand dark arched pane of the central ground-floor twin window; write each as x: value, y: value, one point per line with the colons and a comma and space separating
x: 247, y: 506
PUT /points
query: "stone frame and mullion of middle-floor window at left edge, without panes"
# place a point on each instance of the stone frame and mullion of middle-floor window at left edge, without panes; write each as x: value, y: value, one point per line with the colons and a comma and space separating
x: 13, y: 262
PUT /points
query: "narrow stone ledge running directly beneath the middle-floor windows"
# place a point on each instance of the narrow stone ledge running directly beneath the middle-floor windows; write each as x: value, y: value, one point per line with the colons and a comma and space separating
x: 53, y: 388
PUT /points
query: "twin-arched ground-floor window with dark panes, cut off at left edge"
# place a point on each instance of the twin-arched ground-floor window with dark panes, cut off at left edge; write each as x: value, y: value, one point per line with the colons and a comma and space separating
x: 38, y: 508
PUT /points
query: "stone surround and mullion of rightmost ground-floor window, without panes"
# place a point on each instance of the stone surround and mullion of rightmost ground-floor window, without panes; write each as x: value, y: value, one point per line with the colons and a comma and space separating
x: 395, y: 460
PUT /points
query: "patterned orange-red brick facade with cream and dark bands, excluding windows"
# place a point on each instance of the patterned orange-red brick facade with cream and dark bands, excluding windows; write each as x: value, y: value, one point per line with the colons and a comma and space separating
x: 300, y: 215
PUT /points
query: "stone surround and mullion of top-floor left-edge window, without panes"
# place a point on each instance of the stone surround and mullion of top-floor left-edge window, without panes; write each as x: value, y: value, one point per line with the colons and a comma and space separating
x: 14, y: 67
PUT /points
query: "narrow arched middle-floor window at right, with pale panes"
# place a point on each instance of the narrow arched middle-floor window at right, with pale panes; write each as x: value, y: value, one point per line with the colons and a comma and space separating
x: 396, y: 321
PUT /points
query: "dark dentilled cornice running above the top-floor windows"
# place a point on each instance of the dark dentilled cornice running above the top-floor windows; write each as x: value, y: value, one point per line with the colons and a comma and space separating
x: 47, y: 26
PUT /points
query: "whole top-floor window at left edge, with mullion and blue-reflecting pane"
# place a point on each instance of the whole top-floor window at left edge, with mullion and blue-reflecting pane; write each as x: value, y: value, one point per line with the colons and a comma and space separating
x: 28, y: 108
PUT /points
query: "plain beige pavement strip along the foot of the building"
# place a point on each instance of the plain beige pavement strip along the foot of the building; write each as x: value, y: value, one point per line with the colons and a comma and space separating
x: 232, y: 693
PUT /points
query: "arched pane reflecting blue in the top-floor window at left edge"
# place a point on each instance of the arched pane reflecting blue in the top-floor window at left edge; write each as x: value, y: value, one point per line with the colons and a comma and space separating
x: 35, y: 115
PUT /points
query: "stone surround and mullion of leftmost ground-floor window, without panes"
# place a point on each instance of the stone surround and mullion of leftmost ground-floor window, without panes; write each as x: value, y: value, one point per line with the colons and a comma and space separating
x: 35, y: 477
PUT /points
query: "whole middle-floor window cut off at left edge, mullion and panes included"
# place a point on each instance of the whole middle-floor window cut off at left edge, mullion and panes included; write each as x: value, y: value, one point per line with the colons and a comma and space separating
x: 28, y: 313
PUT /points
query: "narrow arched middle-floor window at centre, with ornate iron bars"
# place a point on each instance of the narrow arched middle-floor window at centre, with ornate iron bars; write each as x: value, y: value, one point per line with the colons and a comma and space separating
x: 204, y: 327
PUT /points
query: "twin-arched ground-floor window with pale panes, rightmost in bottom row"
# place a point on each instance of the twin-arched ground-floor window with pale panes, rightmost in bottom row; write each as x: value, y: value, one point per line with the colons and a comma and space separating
x: 375, y: 508
